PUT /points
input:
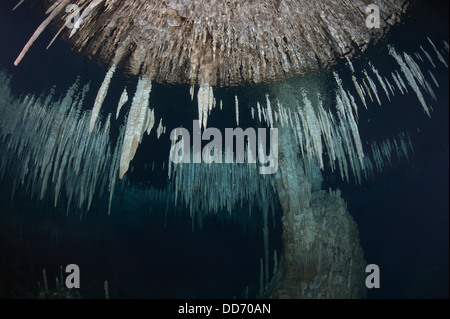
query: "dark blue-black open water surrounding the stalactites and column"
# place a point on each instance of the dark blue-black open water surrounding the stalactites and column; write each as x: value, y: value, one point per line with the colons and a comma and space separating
x: 402, y: 214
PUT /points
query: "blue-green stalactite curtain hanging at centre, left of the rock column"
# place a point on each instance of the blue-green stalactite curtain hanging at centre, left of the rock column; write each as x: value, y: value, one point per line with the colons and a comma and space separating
x: 230, y: 185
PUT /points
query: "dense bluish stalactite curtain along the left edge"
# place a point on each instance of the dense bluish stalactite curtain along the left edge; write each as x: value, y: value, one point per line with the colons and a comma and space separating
x: 47, y: 148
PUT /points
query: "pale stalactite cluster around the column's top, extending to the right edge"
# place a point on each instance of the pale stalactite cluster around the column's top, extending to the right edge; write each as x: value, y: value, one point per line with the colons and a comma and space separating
x: 319, y: 127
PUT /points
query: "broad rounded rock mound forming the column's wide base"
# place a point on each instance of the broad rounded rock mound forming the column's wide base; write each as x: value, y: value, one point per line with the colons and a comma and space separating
x: 322, y: 256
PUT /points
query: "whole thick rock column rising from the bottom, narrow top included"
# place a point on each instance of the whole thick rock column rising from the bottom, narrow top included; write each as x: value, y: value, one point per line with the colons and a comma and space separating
x: 321, y: 257
